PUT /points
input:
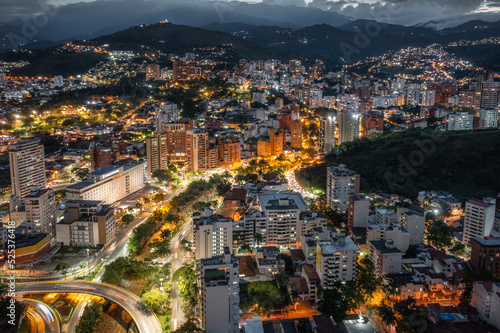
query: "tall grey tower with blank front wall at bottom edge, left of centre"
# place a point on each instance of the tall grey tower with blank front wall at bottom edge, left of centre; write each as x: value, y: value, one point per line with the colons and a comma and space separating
x: 218, y: 282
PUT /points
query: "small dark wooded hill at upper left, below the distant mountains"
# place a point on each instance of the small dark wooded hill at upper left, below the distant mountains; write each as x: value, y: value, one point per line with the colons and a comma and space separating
x: 66, y: 64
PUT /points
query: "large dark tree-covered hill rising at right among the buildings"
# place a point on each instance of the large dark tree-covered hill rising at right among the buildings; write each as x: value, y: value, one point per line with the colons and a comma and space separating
x: 467, y: 164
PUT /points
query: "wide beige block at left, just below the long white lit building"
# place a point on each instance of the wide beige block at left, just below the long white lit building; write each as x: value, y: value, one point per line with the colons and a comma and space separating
x: 86, y: 223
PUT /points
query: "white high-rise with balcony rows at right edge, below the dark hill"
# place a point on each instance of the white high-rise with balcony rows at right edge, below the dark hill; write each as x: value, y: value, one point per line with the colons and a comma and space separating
x: 479, y: 218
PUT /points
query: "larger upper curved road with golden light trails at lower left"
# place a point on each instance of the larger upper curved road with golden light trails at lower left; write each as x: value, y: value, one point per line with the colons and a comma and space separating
x: 145, y: 320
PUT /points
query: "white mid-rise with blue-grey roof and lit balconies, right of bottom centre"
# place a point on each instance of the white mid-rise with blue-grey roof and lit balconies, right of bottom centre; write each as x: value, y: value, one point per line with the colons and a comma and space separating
x: 336, y: 259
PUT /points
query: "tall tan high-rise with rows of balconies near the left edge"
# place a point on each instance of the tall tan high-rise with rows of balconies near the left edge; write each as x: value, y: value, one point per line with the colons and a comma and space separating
x: 27, y: 166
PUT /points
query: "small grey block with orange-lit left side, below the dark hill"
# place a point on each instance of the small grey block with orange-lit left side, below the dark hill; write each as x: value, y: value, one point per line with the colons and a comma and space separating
x: 385, y: 256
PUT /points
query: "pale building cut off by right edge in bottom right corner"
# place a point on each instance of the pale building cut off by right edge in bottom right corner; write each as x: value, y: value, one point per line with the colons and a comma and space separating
x: 486, y: 300
